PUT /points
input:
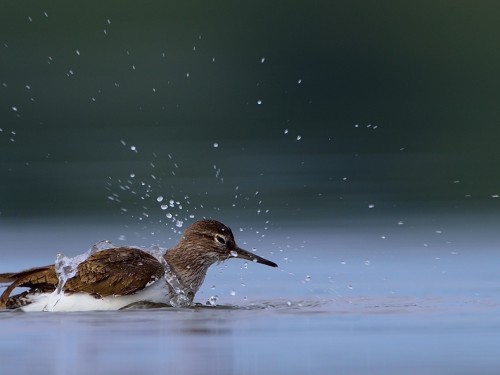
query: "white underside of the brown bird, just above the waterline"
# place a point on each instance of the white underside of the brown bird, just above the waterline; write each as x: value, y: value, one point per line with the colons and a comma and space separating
x: 157, y: 293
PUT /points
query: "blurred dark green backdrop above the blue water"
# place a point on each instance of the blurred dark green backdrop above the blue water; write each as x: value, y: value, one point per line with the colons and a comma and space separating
x: 425, y: 74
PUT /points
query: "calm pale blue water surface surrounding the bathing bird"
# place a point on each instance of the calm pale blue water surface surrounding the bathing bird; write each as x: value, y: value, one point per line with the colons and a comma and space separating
x: 344, y: 300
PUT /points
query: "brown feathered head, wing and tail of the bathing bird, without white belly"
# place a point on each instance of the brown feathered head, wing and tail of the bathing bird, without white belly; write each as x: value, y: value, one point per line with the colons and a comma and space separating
x: 126, y: 270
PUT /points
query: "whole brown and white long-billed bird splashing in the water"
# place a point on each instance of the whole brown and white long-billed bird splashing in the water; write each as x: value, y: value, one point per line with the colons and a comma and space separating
x: 124, y: 276
